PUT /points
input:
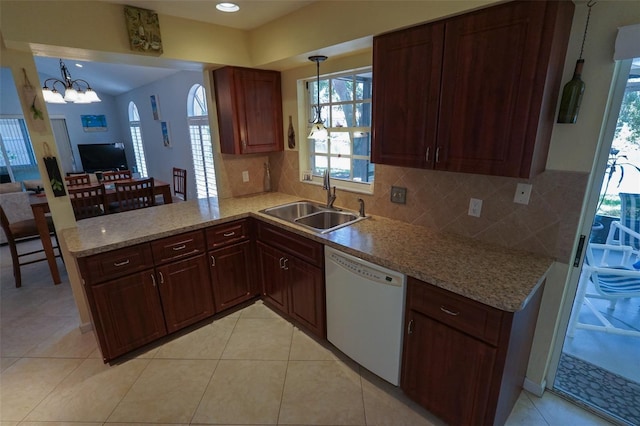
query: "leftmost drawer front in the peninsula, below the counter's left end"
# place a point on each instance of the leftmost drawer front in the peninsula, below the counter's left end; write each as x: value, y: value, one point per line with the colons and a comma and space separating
x: 116, y: 263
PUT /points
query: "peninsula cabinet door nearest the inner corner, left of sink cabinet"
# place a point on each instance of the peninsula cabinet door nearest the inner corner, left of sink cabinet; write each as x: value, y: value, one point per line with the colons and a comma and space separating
x: 231, y: 275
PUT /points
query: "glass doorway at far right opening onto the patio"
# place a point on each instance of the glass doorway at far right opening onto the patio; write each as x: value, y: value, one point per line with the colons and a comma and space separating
x: 598, y: 366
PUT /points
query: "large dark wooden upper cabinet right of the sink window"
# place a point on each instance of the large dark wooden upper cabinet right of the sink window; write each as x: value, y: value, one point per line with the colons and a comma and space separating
x: 500, y: 76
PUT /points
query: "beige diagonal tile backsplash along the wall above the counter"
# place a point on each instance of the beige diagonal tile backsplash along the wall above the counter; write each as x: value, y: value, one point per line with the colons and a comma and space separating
x: 440, y: 200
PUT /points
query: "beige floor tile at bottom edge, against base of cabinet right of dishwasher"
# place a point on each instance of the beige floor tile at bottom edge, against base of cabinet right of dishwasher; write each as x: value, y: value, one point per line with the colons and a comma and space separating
x: 386, y: 405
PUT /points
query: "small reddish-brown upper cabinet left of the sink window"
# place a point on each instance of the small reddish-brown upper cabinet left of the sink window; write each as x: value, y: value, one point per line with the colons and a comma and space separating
x: 249, y: 105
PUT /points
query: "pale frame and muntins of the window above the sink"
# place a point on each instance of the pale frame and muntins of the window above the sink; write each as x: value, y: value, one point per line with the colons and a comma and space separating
x: 306, y: 103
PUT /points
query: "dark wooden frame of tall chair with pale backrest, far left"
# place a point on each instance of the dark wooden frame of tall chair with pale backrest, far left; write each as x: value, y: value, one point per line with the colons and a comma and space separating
x: 20, y: 231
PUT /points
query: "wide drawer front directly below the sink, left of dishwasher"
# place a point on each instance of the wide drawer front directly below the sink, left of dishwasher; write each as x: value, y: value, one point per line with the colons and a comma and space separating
x: 301, y: 247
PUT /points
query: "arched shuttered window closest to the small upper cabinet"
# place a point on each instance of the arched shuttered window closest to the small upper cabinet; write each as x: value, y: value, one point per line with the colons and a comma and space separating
x: 201, y: 148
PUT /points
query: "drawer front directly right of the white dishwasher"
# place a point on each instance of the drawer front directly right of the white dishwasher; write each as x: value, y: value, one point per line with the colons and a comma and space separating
x: 478, y: 320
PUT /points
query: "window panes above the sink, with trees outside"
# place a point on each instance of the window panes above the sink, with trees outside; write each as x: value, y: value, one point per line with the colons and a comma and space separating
x: 345, y: 101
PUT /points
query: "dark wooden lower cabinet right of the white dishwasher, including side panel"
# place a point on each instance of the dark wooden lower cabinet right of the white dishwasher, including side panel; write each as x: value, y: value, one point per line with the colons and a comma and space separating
x: 464, y: 361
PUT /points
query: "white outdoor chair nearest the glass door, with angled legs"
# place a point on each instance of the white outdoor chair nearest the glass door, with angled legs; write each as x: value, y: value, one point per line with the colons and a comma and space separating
x: 614, y: 275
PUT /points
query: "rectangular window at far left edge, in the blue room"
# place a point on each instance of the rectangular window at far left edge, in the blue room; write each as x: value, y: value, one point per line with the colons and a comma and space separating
x: 17, y: 161
